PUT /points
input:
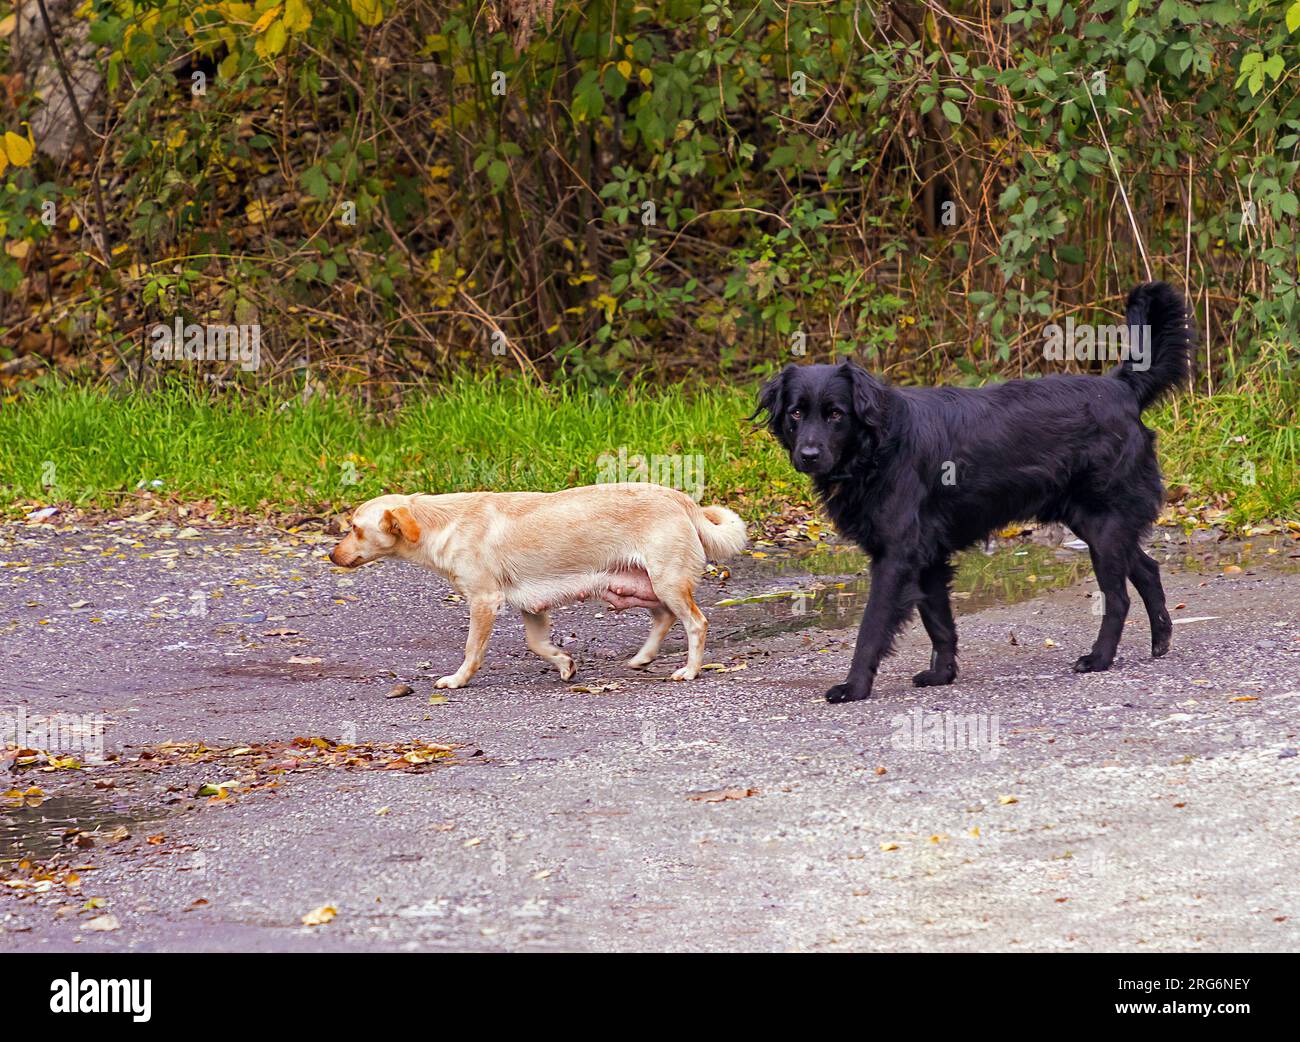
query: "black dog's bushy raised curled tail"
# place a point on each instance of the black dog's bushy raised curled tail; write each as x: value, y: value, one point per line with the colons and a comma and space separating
x: 1162, y: 336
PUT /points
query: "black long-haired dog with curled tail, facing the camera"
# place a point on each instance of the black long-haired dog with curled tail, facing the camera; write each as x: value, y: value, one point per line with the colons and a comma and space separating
x: 915, y: 475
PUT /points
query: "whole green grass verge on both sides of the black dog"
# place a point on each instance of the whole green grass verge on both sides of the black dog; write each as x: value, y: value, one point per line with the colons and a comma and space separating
x: 253, y: 454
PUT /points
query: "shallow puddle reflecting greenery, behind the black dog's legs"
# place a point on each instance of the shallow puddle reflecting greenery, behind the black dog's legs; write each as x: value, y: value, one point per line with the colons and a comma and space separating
x: 829, y: 585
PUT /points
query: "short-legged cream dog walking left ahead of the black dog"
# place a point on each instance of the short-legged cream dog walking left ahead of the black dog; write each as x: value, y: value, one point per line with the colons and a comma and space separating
x: 632, y: 545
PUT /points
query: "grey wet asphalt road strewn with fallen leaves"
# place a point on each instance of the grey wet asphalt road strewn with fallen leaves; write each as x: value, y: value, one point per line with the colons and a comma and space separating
x: 1154, y: 807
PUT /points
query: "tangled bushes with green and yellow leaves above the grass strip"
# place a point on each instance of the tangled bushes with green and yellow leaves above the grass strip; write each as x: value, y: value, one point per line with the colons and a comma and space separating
x: 677, y: 185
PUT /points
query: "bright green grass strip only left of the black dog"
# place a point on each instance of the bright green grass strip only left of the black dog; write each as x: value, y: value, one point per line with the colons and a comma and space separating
x: 253, y: 454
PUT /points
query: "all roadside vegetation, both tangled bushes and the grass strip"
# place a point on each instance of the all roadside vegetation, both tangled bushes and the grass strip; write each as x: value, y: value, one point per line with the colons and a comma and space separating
x: 486, y: 244
